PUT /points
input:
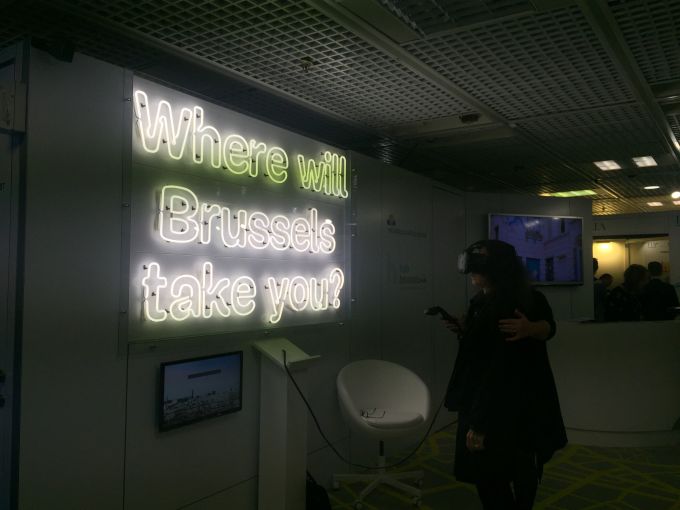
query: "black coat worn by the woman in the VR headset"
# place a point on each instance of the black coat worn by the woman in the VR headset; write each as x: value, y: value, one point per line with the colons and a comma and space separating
x: 505, y: 390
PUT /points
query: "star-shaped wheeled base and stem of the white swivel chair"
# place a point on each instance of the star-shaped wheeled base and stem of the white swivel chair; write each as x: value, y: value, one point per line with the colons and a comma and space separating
x: 381, y: 477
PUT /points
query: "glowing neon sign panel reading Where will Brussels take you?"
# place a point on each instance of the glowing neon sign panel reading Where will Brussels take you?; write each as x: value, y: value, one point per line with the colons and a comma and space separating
x: 236, y: 224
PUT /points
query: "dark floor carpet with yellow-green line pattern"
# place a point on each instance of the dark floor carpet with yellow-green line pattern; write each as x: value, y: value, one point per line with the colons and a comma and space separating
x: 577, y: 478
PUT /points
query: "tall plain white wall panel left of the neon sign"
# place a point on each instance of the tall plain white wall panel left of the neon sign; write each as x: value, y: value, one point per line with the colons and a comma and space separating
x: 73, y: 380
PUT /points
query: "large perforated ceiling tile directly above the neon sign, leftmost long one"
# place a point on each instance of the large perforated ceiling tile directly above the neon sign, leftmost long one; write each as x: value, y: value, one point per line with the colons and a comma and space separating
x: 291, y: 47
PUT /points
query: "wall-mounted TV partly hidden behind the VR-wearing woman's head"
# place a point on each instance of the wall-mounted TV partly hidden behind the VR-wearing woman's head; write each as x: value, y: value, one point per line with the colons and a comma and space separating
x: 551, y: 247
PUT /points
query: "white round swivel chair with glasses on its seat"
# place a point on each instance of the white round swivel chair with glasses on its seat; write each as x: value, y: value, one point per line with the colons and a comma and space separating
x: 382, y: 400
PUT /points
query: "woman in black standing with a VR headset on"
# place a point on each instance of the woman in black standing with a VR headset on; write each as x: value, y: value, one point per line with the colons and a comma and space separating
x: 509, y: 420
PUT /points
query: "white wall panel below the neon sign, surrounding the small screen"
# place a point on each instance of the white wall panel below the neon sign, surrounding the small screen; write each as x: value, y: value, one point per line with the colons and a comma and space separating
x: 165, y: 470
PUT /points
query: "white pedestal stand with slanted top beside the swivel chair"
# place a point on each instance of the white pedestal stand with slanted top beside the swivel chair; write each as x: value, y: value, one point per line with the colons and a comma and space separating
x: 283, y: 427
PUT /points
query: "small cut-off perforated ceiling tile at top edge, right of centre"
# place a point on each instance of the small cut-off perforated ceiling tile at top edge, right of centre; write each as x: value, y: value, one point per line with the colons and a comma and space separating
x: 434, y: 16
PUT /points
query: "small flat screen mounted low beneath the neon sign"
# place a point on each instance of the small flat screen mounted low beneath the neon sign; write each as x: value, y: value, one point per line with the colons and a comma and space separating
x: 199, y: 388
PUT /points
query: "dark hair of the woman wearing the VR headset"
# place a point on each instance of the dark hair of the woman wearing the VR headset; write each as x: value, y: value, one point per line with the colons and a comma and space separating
x: 505, y: 271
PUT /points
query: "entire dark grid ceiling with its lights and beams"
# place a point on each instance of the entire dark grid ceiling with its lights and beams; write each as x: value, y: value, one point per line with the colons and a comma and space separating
x: 552, y: 94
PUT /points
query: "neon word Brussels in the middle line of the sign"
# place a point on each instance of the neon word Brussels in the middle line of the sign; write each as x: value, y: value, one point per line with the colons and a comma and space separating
x: 182, y: 218
